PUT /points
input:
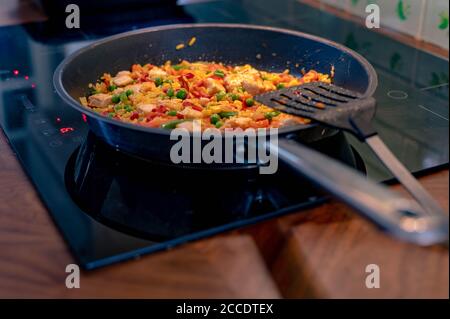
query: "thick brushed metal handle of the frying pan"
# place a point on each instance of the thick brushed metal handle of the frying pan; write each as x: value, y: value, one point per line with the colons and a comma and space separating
x: 396, y: 215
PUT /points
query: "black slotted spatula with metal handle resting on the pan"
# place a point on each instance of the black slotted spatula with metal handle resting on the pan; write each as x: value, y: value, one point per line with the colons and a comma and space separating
x: 343, y: 109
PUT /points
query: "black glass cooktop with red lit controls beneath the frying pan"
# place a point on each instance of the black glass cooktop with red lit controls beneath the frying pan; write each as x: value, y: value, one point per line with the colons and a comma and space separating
x: 102, y: 200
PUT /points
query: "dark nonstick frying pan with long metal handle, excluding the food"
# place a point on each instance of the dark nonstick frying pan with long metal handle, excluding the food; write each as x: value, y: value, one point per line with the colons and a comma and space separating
x: 265, y: 48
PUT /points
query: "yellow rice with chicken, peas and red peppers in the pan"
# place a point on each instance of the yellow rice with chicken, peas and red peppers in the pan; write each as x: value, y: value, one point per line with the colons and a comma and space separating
x: 172, y: 96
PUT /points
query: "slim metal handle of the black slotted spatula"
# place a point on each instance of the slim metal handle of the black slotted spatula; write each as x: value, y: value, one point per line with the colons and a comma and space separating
x: 403, y: 175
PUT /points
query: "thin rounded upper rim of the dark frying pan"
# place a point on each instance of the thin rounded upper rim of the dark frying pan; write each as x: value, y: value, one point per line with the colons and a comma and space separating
x: 57, y: 76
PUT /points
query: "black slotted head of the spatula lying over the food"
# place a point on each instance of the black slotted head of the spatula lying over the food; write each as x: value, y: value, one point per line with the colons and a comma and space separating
x: 325, y: 103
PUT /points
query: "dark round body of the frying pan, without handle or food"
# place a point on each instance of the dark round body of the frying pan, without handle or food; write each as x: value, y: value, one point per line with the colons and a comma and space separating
x: 263, y: 47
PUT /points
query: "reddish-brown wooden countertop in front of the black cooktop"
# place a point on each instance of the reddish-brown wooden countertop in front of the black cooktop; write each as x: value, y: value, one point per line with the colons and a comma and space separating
x: 319, y: 253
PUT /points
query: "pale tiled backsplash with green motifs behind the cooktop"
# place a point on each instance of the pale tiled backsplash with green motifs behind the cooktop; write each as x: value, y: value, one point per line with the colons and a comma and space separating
x: 427, y: 20
